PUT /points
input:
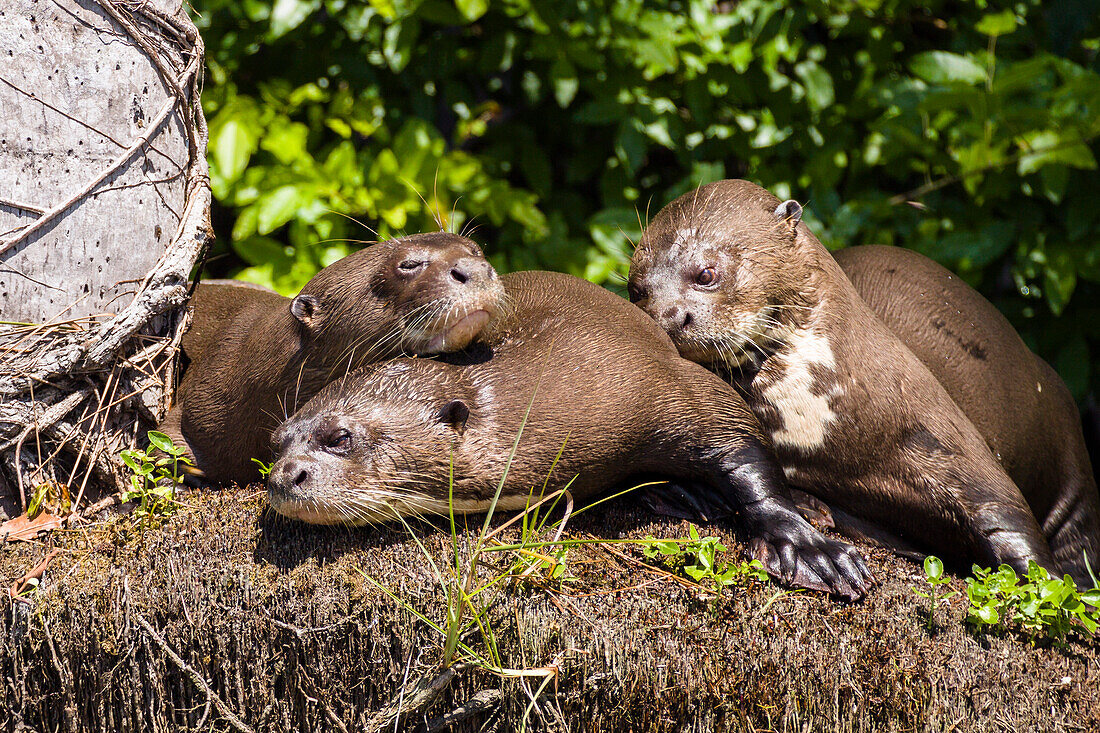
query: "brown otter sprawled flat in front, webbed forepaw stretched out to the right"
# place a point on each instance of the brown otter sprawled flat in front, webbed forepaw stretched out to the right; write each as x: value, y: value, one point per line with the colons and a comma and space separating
x: 381, y: 443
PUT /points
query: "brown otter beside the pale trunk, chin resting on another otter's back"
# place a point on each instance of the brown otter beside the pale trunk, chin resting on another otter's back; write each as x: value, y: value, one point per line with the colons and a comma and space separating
x: 423, y: 294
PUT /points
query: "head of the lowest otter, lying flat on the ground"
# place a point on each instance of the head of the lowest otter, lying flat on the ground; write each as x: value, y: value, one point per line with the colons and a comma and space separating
x: 375, y: 446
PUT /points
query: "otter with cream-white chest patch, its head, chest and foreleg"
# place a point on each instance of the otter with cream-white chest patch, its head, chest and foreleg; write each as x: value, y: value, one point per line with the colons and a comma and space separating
x: 855, y: 418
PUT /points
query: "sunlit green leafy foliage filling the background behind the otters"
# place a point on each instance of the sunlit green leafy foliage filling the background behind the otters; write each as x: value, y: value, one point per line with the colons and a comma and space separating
x: 965, y: 130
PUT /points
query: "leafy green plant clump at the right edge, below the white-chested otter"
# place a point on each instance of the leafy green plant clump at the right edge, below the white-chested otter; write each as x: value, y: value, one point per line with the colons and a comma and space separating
x: 1039, y: 606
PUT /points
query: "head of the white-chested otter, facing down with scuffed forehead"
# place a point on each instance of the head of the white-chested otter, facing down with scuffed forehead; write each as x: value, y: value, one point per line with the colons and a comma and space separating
x: 720, y: 270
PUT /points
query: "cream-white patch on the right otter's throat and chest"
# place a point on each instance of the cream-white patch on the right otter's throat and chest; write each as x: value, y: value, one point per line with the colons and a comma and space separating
x: 806, y: 415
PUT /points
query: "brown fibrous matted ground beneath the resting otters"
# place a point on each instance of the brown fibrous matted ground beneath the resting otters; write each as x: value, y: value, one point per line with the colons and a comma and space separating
x: 229, y: 618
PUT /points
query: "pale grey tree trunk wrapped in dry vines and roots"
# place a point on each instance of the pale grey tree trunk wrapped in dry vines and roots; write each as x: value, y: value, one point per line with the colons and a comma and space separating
x: 104, y: 212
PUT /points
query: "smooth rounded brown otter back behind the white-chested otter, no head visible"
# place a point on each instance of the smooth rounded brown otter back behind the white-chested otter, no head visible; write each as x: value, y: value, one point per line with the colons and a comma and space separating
x: 1017, y: 401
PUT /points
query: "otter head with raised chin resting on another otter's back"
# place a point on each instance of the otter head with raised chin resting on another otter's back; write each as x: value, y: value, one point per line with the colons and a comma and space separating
x: 423, y: 294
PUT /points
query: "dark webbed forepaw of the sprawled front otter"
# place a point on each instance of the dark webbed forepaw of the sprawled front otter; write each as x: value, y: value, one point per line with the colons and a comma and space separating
x: 807, y: 560
